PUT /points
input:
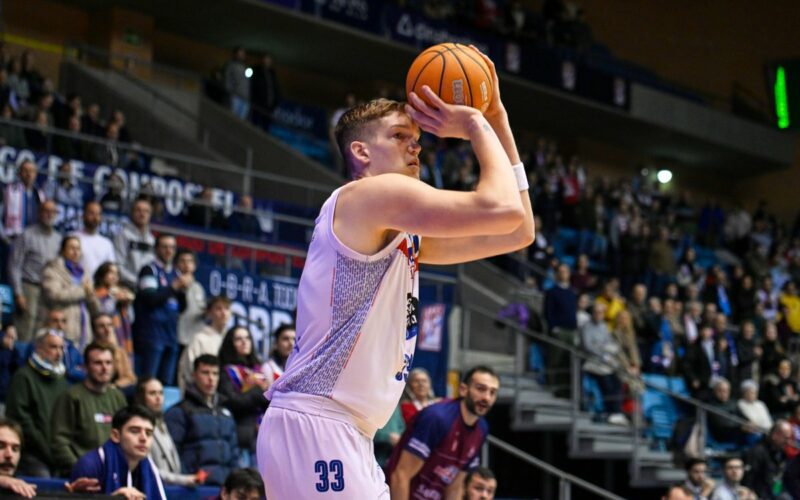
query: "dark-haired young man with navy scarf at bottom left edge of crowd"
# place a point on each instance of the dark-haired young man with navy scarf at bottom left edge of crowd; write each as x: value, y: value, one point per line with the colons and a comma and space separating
x: 121, y: 465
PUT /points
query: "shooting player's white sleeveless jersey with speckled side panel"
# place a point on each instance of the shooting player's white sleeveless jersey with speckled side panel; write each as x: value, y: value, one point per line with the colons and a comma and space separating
x: 356, y: 327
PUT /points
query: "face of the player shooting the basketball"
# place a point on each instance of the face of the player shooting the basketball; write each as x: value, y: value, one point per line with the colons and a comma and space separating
x: 395, y: 146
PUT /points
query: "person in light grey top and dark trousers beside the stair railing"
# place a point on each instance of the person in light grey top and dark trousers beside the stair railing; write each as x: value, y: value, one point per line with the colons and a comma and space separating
x: 600, y: 367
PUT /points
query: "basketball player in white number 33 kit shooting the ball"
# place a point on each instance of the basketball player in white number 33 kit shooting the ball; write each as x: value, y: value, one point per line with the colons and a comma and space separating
x: 357, y: 298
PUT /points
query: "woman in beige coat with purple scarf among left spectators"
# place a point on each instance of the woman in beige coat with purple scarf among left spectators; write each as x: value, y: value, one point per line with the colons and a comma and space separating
x: 67, y: 287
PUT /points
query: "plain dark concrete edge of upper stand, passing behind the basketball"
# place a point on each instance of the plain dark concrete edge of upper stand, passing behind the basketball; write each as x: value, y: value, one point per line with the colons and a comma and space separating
x: 333, y: 49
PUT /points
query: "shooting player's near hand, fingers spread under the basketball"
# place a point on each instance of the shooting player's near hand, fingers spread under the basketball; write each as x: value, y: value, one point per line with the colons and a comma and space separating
x: 440, y: 118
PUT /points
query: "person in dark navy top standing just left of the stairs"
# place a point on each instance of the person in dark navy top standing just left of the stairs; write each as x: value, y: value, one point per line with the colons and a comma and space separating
x: 560, y: 312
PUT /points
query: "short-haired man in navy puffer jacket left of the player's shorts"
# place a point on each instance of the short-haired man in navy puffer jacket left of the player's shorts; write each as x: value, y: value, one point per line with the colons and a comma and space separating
x: 203, y: 430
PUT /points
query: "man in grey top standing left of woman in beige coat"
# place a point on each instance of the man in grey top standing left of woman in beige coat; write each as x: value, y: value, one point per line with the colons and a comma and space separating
x: 37, y: 246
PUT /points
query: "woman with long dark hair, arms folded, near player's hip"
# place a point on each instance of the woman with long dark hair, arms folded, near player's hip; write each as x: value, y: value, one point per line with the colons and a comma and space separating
x: 242, y: 384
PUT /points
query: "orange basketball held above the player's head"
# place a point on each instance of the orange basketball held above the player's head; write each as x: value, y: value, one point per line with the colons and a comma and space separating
x: 456, y: 73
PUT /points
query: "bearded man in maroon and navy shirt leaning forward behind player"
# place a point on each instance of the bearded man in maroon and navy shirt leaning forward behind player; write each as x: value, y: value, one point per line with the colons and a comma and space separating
x: 442, y: 443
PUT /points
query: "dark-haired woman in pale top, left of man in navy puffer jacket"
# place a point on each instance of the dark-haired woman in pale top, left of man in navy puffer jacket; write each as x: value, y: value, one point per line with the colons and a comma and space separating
x: 150, y: 394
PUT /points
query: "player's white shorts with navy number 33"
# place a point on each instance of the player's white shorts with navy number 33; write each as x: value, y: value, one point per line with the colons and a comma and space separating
x: 310, y: 456
